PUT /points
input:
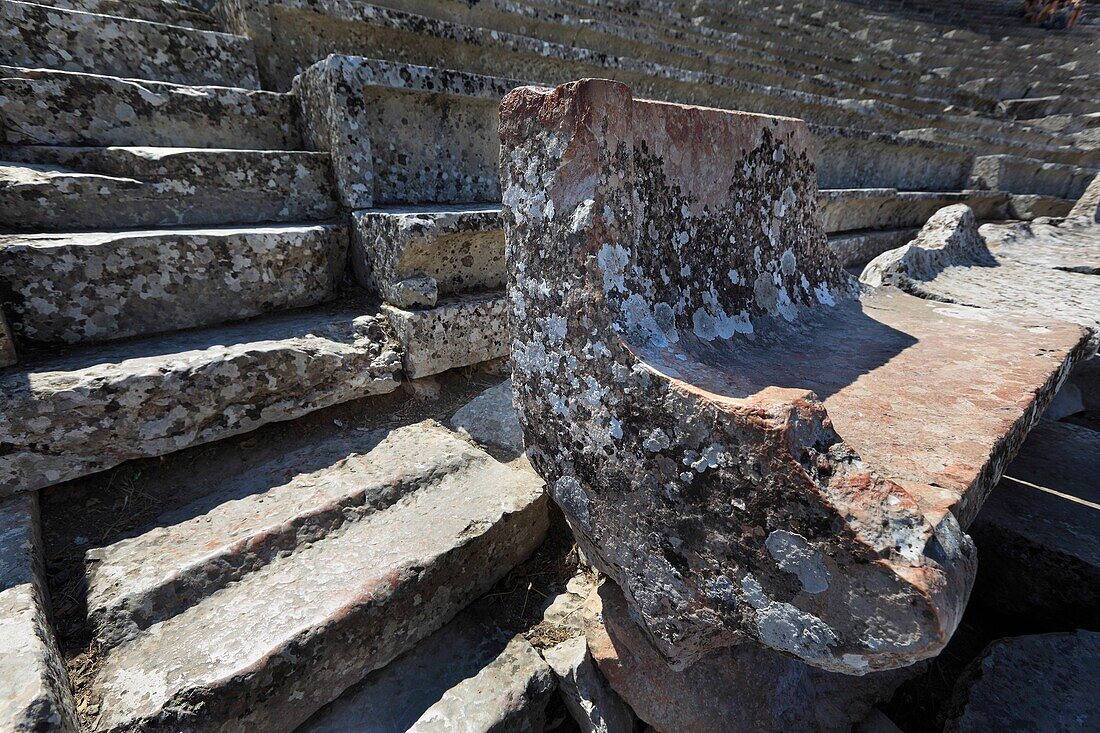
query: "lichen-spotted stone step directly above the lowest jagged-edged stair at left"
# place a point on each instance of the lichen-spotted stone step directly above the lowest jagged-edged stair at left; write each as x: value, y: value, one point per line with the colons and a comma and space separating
x: 106, y: 287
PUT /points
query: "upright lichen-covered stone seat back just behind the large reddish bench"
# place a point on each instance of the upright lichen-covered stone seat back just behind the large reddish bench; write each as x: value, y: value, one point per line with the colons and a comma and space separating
x: 401, y: 134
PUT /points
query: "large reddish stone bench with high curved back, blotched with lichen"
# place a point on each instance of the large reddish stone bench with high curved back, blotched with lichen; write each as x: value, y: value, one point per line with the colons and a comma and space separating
x: 705, y: 471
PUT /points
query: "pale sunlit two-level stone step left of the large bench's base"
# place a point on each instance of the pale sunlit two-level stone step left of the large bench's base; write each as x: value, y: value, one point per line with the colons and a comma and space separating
x: 428, y: 524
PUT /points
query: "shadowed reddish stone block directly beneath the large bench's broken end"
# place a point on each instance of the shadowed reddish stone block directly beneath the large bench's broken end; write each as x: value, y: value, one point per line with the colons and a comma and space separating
x: 743, y: 690
